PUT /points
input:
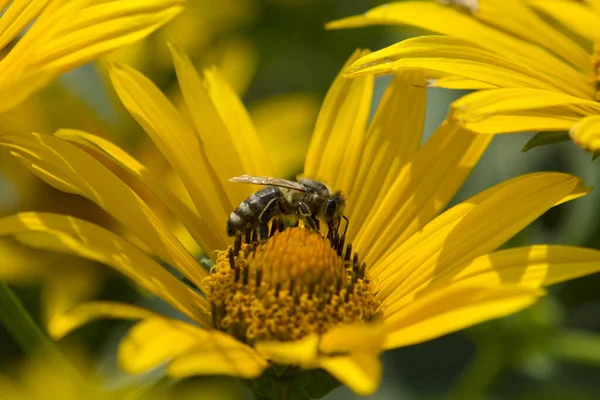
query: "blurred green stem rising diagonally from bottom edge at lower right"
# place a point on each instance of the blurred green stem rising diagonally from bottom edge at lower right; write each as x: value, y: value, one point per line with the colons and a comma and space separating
x: 480, y: 374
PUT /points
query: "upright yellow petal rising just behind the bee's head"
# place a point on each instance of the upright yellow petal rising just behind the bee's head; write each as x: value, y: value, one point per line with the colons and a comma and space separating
x: 338, y: 139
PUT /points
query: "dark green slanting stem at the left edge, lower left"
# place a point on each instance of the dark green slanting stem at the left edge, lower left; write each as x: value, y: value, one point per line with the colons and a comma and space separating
x: 21, y: 326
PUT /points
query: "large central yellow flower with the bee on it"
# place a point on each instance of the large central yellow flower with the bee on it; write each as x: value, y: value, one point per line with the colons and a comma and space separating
x: 405, y: 272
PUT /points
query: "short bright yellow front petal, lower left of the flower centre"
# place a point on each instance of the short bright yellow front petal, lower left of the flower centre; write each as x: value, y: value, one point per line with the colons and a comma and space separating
x: 154, y: 341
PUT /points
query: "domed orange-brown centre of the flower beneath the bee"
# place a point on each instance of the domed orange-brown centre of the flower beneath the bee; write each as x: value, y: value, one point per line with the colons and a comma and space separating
x: 292, y: 284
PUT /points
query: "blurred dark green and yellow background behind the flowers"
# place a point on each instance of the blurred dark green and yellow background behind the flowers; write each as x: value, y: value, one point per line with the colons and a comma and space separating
x: 281, y: 60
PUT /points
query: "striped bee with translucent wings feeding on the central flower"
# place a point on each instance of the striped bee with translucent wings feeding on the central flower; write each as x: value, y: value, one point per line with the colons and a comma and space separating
x: 305, y: 199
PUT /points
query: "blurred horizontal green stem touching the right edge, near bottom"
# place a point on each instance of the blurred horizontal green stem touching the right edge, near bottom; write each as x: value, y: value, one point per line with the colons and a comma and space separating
x: 577, y: 346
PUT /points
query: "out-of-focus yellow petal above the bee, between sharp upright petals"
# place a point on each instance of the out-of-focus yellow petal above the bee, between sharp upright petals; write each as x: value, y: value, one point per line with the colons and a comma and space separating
x: 284, y: 124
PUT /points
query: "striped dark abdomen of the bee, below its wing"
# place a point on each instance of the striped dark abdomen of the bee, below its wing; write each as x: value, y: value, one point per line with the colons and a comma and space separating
x: 253, y: 211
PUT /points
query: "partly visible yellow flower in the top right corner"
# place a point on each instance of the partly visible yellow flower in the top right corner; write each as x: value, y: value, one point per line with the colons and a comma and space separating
x: 540, y: 58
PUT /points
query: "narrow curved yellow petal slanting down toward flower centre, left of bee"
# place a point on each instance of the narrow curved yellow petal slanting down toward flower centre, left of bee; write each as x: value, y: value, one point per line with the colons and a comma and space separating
x: 195, y: 226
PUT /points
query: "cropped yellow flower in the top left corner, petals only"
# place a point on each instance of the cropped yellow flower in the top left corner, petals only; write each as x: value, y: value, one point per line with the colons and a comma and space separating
x: 63, y: 34
